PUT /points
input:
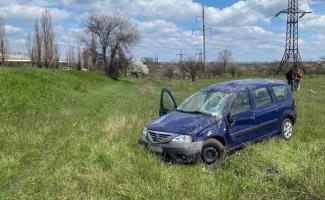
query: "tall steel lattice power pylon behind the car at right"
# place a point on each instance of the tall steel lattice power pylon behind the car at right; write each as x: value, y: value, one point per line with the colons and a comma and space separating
x: 291, y: 55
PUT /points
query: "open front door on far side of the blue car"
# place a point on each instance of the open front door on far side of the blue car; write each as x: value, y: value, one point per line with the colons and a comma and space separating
x: 167, y: 102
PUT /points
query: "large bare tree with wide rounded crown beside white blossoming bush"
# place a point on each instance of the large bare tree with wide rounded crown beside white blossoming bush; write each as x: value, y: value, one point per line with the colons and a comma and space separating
x: 112, y: 32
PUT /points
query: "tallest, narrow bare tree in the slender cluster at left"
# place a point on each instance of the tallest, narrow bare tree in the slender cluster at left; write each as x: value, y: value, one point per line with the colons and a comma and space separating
x: 50, y: 50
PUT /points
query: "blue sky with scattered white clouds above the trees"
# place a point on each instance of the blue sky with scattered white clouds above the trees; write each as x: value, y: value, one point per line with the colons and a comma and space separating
x: 245, y: 27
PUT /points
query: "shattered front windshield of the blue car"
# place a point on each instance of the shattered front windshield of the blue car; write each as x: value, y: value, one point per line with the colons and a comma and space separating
x: 210, y: 103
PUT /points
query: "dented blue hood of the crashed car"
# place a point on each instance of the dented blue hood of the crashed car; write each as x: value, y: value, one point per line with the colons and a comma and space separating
x: 181, y: 123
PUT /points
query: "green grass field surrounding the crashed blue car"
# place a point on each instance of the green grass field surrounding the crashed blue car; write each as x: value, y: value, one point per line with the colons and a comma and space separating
x: 73, y: 135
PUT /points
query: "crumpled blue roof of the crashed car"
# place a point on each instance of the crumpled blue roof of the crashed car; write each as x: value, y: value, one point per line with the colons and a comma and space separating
x: 238, y: 85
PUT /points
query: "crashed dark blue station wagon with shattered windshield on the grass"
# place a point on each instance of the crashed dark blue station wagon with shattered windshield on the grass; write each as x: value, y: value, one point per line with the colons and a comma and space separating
x: 219, y: 119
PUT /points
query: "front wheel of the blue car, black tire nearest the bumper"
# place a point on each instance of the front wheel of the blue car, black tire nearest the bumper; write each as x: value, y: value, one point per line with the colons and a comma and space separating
x: 212, y: 152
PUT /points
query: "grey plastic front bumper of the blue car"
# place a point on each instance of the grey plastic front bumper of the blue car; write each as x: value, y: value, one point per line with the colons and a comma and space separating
x: 179, y: 152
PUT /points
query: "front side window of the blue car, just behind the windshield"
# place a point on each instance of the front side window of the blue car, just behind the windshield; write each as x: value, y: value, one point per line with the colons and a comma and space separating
x: 241, y: 104
